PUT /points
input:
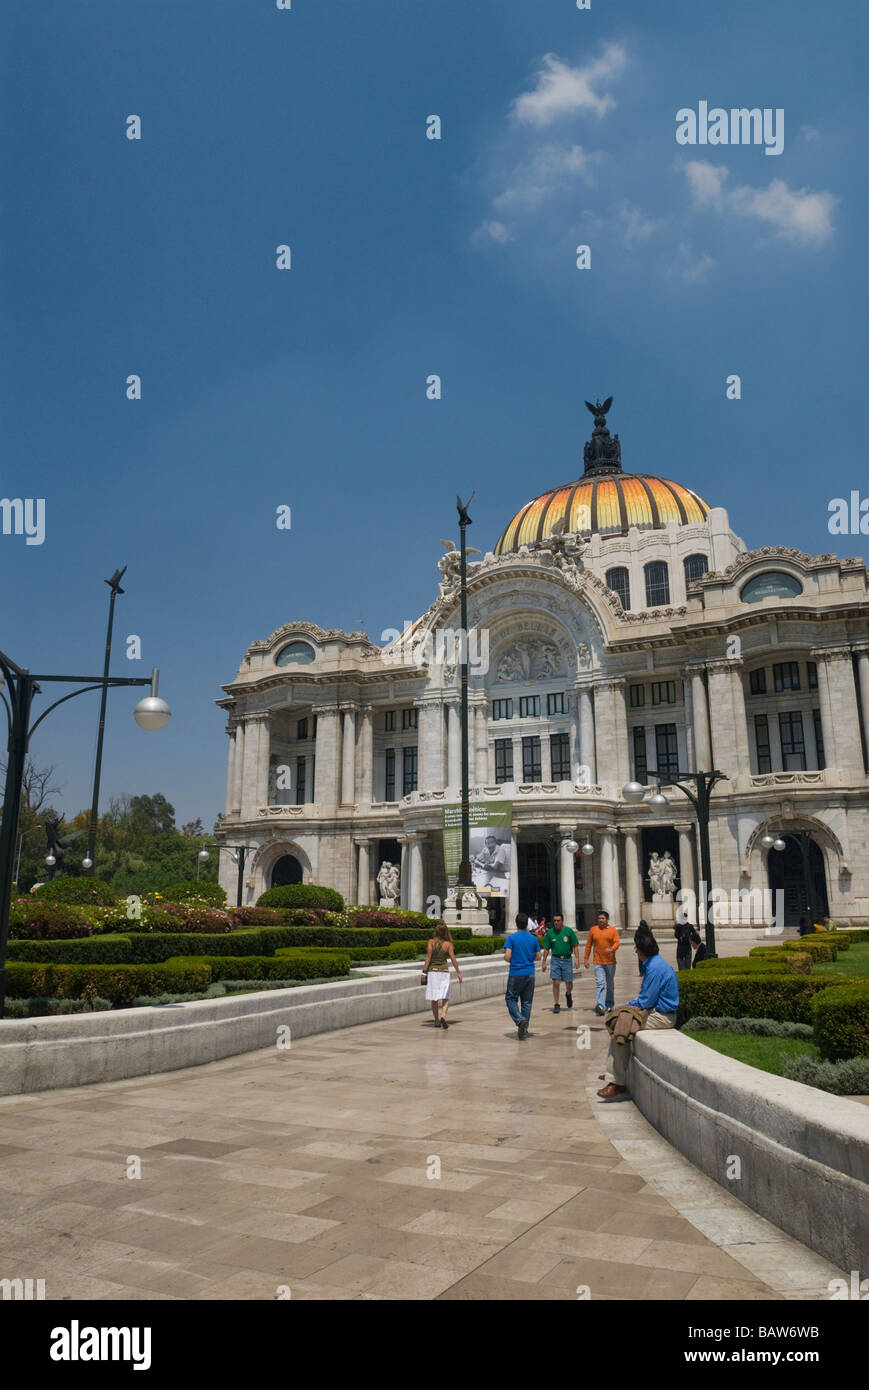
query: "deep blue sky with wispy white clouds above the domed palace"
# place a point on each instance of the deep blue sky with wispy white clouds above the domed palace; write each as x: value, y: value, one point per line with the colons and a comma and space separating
x: 409, y: 256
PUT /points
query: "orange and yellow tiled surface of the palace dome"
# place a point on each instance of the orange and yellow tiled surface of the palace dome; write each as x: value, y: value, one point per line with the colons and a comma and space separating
x: 607, y: 504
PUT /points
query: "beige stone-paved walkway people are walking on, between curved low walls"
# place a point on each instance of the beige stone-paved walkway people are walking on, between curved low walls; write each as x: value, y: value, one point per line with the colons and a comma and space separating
x: 305, y: 1174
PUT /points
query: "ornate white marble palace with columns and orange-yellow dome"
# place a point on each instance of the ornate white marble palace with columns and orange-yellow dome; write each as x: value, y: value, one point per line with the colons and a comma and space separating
x: 631, y: 637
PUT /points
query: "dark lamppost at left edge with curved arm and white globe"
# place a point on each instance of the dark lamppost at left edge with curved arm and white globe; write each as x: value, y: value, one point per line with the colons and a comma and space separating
x: 20, y: 689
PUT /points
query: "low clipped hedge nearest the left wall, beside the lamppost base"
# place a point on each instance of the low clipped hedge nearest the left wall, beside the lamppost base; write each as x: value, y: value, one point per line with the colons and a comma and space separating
x: 120, y: 983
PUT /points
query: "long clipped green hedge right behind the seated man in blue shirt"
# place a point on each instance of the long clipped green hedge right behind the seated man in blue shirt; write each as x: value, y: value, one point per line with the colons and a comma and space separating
x: 786, y: 997
